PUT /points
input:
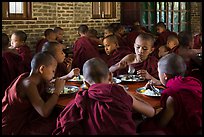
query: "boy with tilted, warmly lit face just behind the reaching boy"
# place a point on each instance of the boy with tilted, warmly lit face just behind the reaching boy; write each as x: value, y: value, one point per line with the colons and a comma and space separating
x: 112, y: 49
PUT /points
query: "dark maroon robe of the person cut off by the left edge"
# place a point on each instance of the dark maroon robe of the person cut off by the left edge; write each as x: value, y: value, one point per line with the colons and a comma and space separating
x: 11, y: 68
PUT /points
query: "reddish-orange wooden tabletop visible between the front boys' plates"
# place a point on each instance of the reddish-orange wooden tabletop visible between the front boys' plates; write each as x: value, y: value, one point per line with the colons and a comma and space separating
x: 154, y: 101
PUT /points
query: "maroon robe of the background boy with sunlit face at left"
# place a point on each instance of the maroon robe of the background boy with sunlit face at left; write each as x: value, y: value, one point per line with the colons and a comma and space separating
x: 26, y: 55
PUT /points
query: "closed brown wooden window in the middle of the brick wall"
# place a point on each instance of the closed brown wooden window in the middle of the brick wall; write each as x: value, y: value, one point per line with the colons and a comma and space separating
x: 106, y: 10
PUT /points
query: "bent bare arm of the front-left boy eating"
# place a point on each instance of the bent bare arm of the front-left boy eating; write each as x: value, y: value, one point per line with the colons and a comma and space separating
x: 43, y: 108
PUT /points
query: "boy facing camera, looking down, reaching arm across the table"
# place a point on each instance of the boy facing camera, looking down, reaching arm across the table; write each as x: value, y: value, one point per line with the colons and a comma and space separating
x: 144, y: 64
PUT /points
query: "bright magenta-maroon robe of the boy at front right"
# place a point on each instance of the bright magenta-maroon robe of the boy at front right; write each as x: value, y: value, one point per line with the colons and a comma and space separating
x: 187, y: 95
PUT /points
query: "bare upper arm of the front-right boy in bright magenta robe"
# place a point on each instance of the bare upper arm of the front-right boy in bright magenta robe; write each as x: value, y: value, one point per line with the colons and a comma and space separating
x: 166, y: 114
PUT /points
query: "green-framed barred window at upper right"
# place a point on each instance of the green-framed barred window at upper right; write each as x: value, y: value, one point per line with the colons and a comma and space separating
x: 176, y: 15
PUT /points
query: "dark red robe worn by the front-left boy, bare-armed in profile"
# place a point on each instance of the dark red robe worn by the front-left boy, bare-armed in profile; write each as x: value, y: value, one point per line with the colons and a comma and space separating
x: 19, y: 116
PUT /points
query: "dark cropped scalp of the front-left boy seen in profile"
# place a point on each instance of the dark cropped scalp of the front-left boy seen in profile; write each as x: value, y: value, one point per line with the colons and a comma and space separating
x: 42, y: 58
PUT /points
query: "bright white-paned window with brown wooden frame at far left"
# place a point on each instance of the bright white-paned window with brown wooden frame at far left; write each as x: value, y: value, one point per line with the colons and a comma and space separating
x: 16, y: 10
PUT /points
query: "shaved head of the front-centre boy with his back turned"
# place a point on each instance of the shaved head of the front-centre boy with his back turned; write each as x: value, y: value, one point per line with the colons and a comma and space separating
x: 95, y: 70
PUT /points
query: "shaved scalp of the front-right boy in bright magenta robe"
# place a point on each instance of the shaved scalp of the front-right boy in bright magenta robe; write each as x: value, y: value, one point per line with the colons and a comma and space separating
x: 172, y: 64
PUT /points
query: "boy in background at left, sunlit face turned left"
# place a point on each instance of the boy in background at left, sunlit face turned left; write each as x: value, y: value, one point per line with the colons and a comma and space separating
x: 18, y: 42
